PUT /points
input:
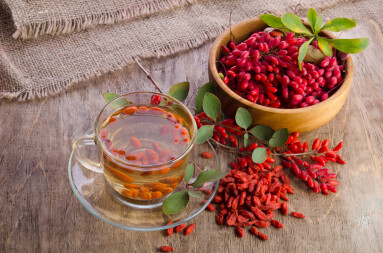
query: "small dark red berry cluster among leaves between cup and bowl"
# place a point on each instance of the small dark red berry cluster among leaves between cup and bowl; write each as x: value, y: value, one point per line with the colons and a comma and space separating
x: 224, y: 131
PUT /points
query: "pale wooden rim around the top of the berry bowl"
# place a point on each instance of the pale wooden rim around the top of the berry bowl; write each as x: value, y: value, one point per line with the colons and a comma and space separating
x: 214, y: 54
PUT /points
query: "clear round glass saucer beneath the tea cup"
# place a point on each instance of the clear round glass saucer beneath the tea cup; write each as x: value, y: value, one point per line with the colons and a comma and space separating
x: 91, y: 190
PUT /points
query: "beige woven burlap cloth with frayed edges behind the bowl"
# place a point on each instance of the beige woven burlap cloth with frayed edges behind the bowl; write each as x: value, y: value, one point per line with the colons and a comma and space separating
x: 49, y: 64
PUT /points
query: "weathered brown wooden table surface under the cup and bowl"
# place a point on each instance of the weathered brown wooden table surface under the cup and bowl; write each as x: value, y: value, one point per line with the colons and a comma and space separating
x: 39, y: 212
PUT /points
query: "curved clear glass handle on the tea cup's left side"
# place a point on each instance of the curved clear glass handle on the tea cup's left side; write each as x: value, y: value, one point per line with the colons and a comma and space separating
x: 79, y: 149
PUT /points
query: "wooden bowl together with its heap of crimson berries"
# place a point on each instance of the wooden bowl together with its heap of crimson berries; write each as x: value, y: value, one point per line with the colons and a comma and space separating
x: 256, y: 67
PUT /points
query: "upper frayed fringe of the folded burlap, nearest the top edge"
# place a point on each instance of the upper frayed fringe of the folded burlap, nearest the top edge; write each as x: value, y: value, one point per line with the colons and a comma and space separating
x: 65, y: 26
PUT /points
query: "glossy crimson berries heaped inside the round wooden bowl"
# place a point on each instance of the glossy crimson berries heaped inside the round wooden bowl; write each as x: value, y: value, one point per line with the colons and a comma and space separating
x: 264, y: 70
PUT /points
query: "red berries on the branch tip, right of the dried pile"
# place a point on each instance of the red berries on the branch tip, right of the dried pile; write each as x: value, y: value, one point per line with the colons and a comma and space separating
x: 314, y: 174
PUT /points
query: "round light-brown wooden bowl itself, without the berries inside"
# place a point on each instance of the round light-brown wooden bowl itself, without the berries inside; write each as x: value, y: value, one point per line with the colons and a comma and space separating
x: 300, y: 120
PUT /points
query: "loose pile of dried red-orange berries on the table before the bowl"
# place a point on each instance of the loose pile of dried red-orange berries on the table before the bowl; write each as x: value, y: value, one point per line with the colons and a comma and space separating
x: 250, y: 193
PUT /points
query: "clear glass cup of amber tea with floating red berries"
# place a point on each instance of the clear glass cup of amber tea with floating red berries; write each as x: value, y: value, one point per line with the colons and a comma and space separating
x: 144, y: 141
